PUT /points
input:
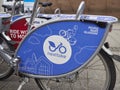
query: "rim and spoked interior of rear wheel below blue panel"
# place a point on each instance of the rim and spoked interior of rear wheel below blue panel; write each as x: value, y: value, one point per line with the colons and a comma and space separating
x: 95, y: 76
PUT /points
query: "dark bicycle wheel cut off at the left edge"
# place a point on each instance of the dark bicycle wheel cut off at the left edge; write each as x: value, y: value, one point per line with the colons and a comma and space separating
x: 5, y: 70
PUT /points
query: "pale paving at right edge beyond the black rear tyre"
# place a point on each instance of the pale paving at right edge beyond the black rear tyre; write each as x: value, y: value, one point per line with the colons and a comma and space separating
x: 114, y: 40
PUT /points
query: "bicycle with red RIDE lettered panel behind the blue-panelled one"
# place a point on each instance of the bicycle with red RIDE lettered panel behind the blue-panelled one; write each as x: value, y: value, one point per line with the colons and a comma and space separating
x: 11, y: 34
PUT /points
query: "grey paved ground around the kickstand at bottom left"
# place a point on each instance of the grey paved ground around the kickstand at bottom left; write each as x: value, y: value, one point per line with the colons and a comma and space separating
x: 13, y: 82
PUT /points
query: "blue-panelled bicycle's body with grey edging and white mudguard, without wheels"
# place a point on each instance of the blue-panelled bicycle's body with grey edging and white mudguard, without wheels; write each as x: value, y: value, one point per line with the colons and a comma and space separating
x: 46, y: 46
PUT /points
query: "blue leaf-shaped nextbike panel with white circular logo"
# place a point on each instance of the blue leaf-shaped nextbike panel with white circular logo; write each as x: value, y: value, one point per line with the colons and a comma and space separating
x: 59, y: 47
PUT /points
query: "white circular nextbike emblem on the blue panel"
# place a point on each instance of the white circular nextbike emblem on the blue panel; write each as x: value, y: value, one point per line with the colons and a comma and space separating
x: 57, y: 49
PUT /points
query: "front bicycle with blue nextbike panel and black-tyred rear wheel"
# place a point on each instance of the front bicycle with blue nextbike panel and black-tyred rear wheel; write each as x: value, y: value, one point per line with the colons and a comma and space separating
x: 63, y: 70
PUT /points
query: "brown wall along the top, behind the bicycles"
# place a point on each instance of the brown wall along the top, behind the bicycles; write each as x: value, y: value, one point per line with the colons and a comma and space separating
x: 103, y: 7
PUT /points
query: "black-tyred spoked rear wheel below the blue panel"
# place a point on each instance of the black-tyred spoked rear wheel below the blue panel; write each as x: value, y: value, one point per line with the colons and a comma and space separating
x: 61, y: 83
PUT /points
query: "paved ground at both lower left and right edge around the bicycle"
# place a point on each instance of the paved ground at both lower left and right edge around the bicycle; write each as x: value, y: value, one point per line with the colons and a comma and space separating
x: 113, y: 38
